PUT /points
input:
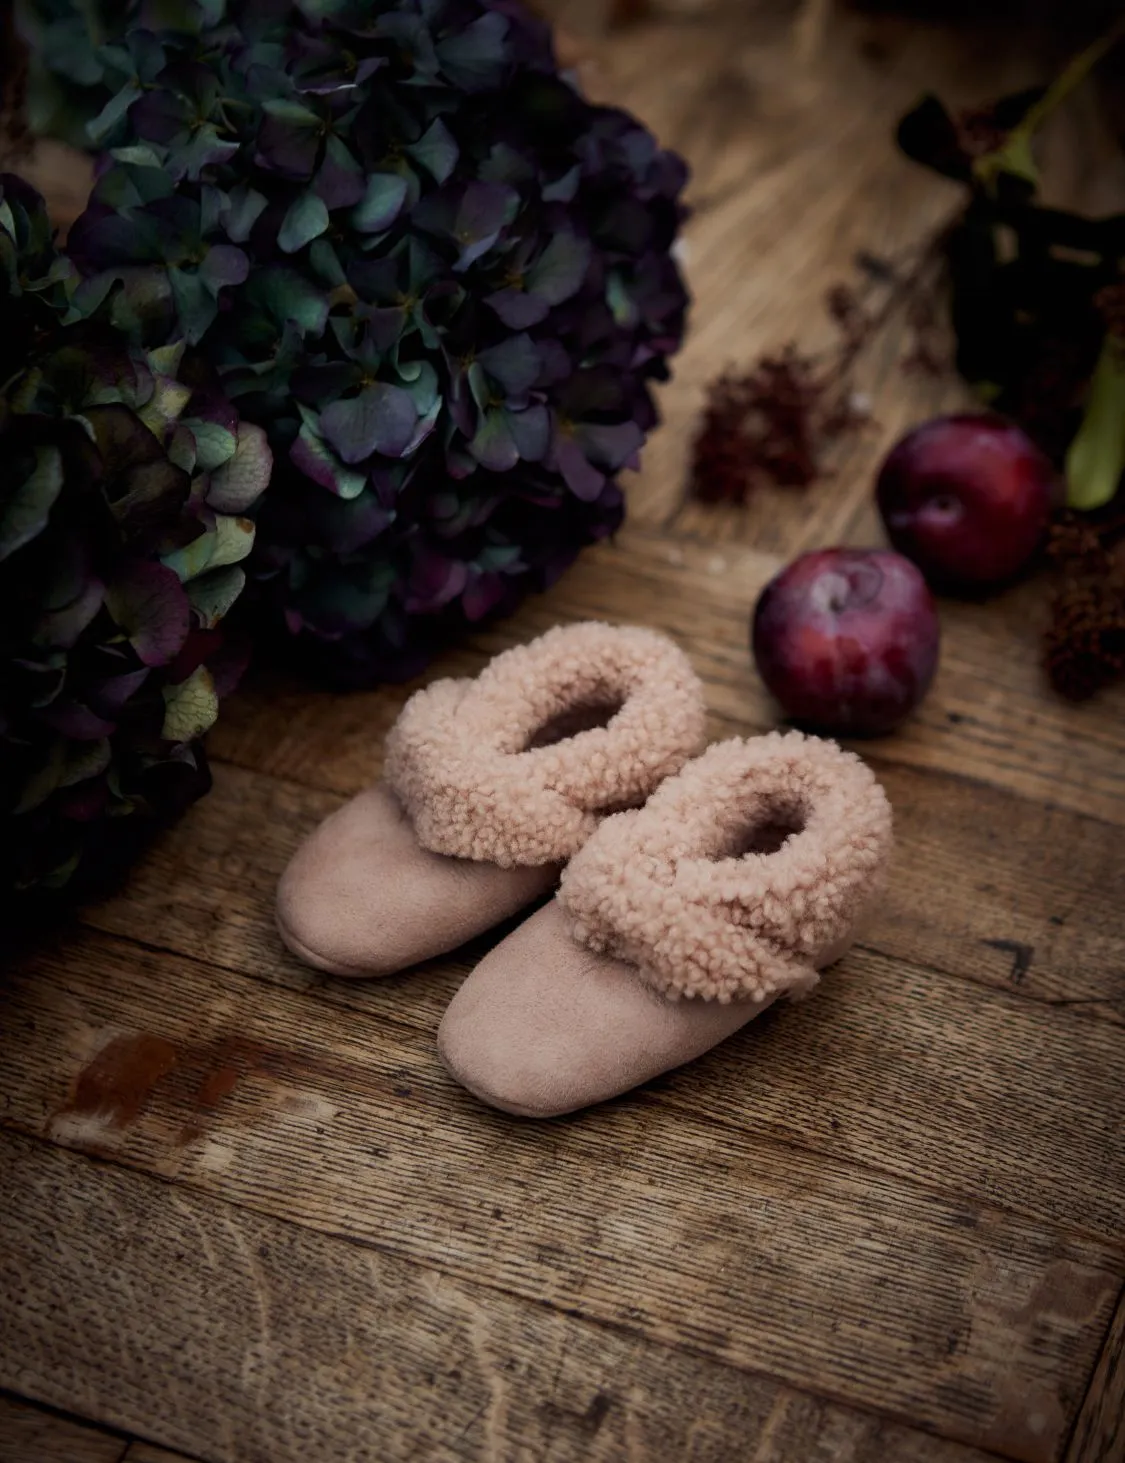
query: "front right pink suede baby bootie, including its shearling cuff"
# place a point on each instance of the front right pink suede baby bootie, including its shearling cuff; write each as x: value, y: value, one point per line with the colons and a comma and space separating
x: 740, y: 880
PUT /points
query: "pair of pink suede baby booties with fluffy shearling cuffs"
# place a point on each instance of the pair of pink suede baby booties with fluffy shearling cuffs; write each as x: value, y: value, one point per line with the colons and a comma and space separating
x: 694, y: 887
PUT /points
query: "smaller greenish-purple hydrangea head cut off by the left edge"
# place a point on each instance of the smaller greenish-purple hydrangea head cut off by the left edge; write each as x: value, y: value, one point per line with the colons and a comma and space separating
x: 122, y: 546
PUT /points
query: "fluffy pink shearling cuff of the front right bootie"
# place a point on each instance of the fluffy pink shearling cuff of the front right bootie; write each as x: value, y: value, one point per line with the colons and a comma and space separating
x: 678, y: 889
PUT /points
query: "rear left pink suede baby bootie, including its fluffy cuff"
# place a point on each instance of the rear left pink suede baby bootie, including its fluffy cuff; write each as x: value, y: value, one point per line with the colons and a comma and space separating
x: 489, y: 788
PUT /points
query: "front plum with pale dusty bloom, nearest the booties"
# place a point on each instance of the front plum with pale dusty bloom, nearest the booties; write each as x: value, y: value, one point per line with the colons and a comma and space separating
x: 848, y: 640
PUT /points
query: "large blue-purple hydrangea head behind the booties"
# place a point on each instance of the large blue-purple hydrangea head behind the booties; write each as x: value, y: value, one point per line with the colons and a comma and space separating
x: 437, y: 276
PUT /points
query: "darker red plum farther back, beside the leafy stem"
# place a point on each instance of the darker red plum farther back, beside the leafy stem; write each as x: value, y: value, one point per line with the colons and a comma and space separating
x: 968, y: 498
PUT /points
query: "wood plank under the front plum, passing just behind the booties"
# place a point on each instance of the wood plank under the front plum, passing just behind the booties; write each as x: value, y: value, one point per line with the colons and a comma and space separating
x: 990, y: 715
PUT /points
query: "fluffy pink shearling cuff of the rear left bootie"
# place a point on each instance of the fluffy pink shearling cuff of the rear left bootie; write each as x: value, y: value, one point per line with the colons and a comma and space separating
x: 498, y: 769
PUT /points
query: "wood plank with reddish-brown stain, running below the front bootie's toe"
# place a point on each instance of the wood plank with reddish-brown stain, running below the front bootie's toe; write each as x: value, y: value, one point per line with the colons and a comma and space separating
x: 975, y: 1323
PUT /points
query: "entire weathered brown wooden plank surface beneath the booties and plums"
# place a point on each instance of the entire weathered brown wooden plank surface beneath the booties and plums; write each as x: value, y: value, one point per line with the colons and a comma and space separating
x: 245, y: 1215
